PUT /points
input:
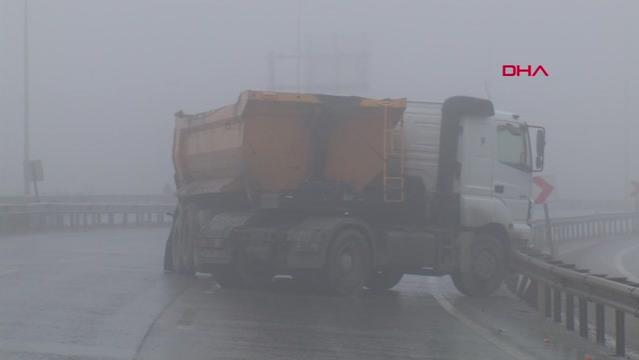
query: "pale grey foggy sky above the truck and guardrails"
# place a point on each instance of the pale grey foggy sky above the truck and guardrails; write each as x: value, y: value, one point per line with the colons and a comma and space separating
x: 107, y: 76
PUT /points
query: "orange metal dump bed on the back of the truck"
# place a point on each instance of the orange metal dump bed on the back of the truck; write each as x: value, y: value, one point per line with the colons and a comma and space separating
x: 270, y: 142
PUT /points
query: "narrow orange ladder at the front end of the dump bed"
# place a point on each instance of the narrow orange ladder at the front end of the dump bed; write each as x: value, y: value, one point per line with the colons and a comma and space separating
x: 393, y: 173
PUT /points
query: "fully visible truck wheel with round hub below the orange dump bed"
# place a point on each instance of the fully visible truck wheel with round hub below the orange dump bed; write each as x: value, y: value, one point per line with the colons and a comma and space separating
x: 347, y: 264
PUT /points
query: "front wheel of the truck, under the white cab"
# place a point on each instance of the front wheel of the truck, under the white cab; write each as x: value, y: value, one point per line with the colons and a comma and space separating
x: 487, y: 268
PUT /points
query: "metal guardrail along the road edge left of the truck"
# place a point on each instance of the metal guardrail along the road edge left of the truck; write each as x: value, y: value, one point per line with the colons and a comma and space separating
x: 78, y: 216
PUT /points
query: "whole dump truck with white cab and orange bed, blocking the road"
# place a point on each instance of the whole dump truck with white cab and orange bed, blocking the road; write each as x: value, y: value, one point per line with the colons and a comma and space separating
x: 346, y: 193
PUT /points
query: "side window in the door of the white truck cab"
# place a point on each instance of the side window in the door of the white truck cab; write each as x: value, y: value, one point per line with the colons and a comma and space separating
x: 512, y: 146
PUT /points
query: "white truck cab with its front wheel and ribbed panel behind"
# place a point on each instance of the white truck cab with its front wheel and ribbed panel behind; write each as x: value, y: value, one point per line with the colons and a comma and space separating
x: 477, y: 166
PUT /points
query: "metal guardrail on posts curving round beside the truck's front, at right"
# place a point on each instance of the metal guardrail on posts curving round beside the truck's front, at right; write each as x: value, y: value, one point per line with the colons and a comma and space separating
x: 552, y: 285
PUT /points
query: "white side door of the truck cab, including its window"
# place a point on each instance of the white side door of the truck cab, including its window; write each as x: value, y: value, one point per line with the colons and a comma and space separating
x: 513, y: 167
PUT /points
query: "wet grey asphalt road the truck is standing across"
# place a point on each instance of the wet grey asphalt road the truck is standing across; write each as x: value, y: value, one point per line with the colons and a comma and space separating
x: 103, y: 295
